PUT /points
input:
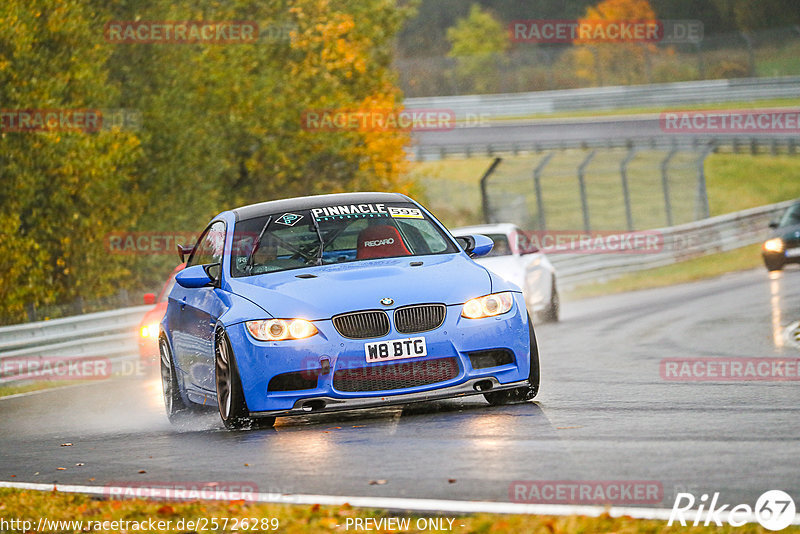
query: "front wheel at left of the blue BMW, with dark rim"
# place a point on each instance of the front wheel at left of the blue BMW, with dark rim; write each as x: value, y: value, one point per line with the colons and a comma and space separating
x: 230, y: 397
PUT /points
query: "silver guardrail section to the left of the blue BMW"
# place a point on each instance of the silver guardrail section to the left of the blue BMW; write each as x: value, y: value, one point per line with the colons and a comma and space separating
x: 109, y: 334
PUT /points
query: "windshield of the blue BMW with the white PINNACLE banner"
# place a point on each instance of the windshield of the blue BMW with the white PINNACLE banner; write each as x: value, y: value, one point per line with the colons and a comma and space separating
x: 348, y: 233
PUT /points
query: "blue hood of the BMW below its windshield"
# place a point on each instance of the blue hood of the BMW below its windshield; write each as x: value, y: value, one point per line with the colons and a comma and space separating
x: 339, y: 288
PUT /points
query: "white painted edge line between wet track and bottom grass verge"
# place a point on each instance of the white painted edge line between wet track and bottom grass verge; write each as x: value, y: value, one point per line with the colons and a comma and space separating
x: 395, y: 503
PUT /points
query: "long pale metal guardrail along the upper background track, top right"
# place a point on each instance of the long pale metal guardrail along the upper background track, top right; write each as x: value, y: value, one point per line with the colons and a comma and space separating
x: 608, y: 98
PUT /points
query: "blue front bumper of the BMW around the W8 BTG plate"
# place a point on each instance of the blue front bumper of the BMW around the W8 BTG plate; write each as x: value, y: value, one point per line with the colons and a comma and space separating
x: 259, y: 362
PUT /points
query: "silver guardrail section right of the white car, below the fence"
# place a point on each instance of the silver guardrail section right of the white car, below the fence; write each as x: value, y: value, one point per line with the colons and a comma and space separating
x: 682, y: 242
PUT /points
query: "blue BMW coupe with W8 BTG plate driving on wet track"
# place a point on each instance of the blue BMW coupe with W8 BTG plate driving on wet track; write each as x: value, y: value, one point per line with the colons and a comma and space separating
x: 337, y: 302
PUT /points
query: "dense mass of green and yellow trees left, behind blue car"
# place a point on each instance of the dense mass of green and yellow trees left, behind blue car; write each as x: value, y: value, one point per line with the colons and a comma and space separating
x: 221, y: 126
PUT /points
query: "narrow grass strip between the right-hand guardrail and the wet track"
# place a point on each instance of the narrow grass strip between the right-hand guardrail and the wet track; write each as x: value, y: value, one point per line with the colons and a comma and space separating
x: 741, y: 259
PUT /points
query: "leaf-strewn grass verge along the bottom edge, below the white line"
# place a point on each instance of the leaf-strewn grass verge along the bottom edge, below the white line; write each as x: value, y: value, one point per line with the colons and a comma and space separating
x: 31, y: 505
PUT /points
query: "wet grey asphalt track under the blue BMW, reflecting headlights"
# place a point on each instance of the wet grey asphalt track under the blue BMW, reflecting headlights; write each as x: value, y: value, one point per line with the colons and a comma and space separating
x: 603, y: 413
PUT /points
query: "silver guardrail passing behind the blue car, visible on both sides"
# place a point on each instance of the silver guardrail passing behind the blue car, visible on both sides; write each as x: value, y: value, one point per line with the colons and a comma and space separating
x: 112, y: 334
